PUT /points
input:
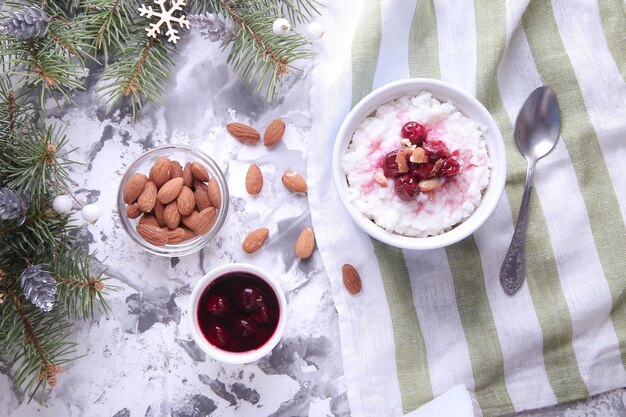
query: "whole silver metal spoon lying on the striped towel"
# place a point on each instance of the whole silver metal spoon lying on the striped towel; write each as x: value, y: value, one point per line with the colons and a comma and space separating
x: 536, y: 133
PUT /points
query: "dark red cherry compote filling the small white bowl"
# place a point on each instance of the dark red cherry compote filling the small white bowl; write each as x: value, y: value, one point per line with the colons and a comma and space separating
x: 238, y: 312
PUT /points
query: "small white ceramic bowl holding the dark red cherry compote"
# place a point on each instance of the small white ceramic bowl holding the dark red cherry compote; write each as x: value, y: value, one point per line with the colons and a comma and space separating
x: 224, y: 355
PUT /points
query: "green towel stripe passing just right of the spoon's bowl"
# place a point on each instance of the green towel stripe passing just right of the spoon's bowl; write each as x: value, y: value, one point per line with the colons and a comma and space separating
x: 607, y: 225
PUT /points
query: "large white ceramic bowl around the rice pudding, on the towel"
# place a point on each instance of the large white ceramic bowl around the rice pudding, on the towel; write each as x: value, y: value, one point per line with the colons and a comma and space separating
x: 469, y: 106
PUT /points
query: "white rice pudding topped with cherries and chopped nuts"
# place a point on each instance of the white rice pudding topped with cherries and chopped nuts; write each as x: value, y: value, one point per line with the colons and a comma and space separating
x: 418, y: 166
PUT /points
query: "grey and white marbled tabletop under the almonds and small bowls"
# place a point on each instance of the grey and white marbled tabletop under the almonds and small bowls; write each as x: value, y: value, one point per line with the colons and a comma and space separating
x: 140, y: 359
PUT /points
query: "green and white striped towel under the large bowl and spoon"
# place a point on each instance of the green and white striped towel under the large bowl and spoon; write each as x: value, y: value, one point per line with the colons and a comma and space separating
x: 426, y: 321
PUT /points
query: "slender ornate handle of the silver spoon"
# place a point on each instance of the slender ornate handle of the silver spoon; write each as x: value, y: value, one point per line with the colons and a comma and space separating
x: 514, y: 265
